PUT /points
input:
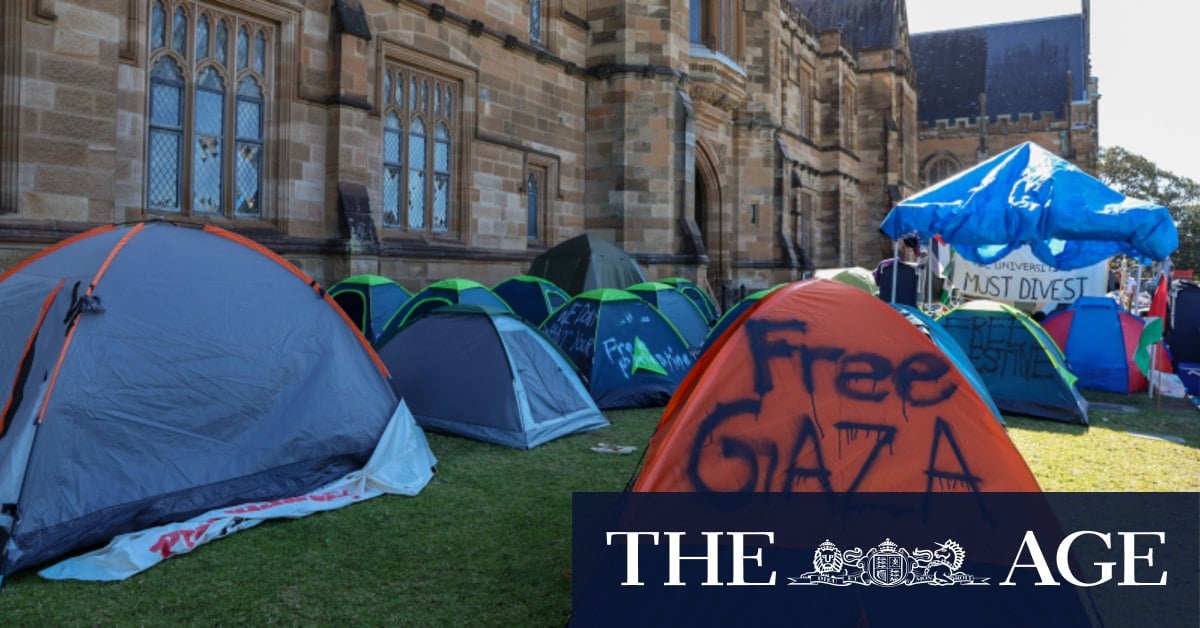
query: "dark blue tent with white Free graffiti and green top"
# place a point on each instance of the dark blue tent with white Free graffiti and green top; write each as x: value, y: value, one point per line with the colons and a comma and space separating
x: 629, y: 354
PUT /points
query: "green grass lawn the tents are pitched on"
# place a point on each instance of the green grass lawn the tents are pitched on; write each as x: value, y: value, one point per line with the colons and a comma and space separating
x: 489, y: 540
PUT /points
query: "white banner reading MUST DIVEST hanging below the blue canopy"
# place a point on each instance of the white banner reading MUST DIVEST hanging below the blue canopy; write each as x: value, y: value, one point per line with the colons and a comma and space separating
x: 1022, y: 277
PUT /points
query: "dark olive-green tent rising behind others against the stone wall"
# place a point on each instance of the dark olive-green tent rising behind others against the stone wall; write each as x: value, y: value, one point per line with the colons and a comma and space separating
x: 587, y: 262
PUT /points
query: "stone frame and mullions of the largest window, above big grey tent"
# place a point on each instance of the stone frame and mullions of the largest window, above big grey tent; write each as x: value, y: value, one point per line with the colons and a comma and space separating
x: 284, y: 25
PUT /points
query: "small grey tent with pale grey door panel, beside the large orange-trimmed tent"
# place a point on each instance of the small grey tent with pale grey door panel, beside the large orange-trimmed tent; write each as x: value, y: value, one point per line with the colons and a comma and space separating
x: 484, y: 374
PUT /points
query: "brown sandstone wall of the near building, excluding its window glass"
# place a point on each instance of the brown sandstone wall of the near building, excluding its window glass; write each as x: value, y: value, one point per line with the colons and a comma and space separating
x: 614, y: 111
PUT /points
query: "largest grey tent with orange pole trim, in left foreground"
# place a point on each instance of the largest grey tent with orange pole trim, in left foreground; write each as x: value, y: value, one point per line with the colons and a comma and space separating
x: 152, y: 373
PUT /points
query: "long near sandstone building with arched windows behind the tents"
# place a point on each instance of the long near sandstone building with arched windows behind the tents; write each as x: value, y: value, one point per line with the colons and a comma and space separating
x: 735, y: 142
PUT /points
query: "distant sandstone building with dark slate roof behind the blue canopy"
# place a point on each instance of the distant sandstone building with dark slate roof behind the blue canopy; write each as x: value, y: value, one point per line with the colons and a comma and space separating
x: 986, y: 89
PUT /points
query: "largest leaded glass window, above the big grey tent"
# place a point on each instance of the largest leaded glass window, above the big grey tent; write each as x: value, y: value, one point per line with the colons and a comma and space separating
x: 208, y: 123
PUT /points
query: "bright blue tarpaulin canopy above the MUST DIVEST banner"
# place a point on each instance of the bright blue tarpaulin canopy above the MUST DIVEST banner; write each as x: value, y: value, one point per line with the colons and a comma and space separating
x: 1028, y: 195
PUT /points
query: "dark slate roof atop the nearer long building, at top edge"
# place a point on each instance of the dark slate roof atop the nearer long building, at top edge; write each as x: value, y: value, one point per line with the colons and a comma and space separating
x: 866, y: 25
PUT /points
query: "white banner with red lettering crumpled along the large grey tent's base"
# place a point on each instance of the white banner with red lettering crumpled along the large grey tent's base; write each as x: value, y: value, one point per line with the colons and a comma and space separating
x: 400, y: 465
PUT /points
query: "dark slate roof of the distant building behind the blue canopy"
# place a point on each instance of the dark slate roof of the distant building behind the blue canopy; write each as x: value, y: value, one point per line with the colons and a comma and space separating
x: 1022, y: 67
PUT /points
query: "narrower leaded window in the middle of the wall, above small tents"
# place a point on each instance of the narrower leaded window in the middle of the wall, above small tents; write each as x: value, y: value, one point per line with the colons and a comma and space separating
x: 419, y: 147
